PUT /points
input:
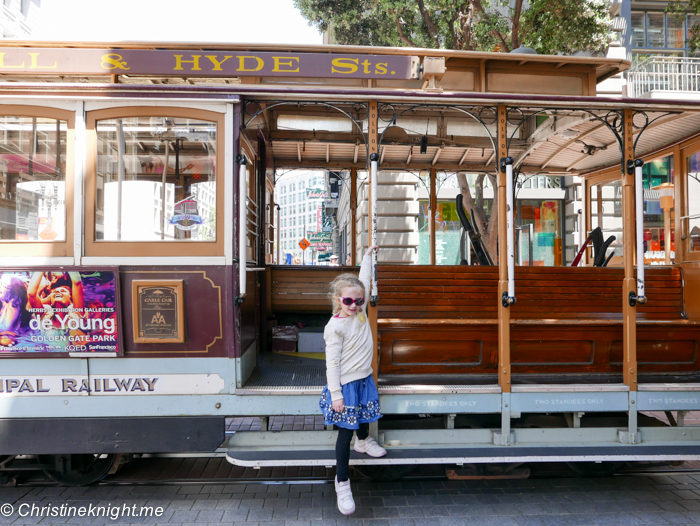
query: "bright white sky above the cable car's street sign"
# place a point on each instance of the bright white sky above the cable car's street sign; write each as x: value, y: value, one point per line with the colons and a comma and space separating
x: 240, y: 21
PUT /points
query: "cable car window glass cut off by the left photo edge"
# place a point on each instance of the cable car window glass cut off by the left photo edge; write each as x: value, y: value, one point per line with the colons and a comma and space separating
x: 32, y: 179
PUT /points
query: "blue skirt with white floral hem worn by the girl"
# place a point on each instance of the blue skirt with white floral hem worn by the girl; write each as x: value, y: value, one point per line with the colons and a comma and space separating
x: 361, y: 400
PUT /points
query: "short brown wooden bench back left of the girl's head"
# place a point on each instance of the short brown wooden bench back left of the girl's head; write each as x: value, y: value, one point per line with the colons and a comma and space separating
x: 295, y: 289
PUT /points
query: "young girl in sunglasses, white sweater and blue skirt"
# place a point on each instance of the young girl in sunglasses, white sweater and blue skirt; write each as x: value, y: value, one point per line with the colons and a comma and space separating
x: 350, y: 400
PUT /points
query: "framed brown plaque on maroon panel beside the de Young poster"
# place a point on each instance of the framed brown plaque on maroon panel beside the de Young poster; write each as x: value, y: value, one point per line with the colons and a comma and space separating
x: 158, y: 311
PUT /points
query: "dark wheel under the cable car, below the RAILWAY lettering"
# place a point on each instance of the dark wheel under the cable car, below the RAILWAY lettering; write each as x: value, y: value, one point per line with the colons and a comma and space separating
x: 77, y: 470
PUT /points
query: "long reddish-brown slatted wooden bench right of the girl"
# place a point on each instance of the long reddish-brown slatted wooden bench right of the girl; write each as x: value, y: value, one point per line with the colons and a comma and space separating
x: 443, y: 320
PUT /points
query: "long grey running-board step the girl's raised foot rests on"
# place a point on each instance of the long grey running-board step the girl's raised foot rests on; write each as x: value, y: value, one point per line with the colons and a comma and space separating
x: 463, y: 446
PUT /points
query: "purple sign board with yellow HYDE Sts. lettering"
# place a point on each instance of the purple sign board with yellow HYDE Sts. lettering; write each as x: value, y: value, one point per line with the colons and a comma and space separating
x: 199, y: 63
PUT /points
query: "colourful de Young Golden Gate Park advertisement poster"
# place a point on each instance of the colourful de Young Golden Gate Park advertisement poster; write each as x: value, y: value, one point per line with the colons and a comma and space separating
x: 58, y: 312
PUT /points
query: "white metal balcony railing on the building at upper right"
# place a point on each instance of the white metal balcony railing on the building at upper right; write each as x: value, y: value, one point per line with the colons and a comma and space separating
x: 664, y: 74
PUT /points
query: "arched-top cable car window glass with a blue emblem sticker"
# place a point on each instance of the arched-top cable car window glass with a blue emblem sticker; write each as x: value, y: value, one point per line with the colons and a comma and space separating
x: 156, y: 179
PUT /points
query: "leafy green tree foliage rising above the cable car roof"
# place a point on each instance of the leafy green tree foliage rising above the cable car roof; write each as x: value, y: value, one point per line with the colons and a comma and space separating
x: 548, y: 26
